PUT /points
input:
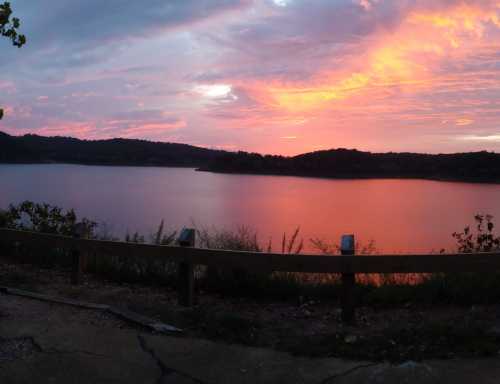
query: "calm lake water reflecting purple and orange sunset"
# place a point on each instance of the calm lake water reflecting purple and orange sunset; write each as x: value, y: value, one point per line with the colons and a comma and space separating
x: 400, y: 215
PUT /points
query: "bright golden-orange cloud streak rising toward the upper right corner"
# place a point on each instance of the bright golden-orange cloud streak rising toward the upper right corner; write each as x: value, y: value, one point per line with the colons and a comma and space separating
x: 406, y: 57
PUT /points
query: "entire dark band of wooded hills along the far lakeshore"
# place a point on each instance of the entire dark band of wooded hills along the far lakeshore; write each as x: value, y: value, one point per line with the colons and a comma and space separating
x: 335, y: 163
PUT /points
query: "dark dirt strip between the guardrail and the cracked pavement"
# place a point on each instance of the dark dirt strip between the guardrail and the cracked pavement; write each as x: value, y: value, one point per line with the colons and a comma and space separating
x: 302, y: 327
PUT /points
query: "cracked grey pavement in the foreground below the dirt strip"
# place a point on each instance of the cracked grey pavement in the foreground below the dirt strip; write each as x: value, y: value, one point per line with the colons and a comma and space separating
x: 46, y: 342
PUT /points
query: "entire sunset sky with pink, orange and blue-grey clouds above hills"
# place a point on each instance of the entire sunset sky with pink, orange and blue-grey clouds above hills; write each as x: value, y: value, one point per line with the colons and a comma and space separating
x: 268, y: 76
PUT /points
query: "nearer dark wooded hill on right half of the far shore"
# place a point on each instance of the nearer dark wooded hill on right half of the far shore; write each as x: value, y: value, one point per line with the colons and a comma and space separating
x: 349, y: 163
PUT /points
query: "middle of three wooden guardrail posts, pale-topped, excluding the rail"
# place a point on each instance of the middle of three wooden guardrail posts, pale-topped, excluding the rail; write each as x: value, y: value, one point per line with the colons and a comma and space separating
x: 185, y: 284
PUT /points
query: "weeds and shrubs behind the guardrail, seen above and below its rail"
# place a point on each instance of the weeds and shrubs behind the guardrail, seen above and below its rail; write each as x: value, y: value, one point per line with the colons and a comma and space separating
x: 374, y: 290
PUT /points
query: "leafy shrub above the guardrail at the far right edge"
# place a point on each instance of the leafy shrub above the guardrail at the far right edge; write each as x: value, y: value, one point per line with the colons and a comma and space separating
x: 479, y: 239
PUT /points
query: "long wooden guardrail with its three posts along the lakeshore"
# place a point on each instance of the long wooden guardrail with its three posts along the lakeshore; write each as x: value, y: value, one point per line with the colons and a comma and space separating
x: 348, y: 264
